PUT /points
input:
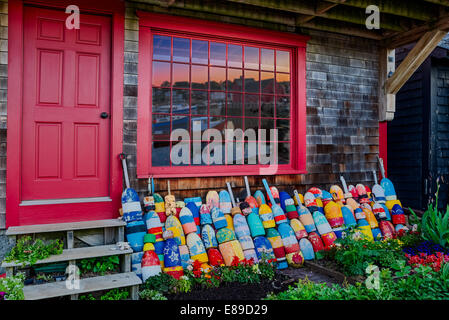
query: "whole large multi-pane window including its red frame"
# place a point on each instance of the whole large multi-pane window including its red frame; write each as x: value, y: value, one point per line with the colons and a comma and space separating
x: 197, y: 82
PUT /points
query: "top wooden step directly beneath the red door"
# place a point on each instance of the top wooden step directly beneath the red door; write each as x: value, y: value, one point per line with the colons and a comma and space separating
x: 68, y: 226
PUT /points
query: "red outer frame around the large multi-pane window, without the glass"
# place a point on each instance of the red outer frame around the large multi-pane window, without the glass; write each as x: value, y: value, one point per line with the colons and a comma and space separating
x: 155, y: 21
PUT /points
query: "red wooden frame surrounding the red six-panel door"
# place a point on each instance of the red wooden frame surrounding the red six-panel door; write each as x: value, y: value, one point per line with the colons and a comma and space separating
x: 80, y: 211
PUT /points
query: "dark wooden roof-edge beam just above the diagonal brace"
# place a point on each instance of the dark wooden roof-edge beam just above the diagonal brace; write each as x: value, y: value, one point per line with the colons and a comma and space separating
x: 412, y: 35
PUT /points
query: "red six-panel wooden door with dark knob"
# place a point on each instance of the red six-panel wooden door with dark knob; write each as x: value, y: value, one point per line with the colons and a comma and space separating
x: 66, y: 142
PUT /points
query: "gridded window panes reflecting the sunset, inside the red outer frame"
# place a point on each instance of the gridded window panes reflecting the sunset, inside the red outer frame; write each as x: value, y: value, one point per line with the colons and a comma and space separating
x: 221, y: 85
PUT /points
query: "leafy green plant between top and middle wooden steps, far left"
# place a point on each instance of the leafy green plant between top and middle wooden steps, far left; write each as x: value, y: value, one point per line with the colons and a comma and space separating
x: 27, y: 251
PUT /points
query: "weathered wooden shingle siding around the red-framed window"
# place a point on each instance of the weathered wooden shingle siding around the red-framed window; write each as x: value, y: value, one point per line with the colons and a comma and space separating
x: 342, y: 122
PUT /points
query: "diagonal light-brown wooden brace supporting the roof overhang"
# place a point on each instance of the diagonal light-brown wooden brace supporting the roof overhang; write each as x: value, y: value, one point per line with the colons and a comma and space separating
x: 415, y: 57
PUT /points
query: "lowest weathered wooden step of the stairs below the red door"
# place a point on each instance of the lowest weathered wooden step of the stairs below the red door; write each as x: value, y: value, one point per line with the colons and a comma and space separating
x: 59, y: 289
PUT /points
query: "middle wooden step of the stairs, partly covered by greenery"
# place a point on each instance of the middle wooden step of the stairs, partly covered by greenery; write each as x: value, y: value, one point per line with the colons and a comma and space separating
x: 77, y: 254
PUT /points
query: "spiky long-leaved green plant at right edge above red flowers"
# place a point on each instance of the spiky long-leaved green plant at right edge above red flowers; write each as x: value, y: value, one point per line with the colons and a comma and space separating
x: 434, y: 224
